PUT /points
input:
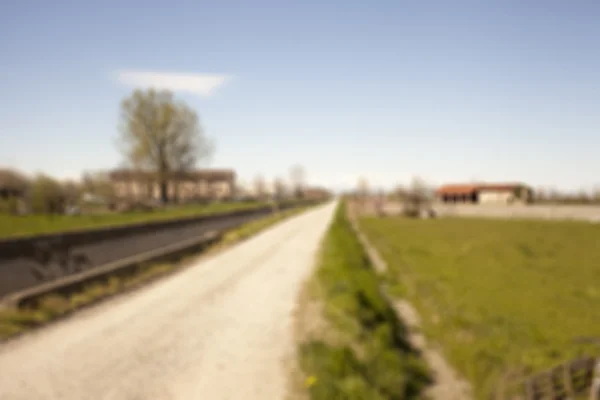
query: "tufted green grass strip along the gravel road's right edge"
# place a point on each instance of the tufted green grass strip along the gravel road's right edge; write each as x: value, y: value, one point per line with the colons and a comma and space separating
x: 362, y: 353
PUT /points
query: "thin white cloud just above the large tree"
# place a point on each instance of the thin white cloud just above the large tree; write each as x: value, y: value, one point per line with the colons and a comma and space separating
x: 200, y: 84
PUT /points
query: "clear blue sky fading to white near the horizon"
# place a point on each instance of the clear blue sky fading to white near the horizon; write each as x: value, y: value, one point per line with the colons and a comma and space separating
x: 447, y: 90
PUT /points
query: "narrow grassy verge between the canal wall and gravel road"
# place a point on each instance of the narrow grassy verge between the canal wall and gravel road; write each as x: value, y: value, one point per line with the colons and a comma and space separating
x: 53, y: 306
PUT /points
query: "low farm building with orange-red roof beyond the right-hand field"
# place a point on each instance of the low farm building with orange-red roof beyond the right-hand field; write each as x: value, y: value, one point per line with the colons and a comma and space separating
x: 485, y: 193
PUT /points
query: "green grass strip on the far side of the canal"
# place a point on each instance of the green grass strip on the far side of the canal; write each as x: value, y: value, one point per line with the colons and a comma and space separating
x: 13, y: 225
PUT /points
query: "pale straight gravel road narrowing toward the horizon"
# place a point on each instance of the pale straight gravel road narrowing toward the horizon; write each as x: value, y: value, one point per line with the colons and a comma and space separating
x: 221, y: 329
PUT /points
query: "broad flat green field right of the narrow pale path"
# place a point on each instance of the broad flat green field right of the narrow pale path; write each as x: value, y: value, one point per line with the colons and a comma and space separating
x: 497, y: 294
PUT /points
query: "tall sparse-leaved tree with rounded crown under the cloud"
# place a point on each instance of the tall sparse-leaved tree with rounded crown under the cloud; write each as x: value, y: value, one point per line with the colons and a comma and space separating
x: 161, y: 135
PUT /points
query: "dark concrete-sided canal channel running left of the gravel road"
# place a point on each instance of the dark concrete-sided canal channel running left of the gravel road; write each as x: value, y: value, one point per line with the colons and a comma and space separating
x: 40, y: 261
